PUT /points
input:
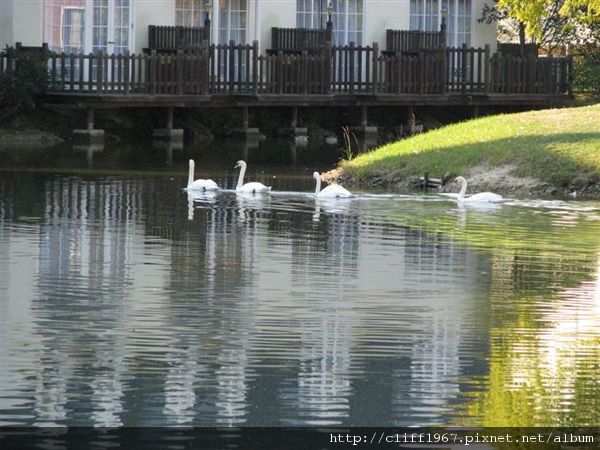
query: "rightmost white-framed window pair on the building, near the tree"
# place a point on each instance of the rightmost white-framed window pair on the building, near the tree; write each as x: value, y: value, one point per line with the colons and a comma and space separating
x: 425, y: 16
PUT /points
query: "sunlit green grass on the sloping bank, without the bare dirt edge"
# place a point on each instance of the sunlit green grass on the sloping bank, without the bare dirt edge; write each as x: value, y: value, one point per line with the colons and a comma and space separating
x: 559, y: 146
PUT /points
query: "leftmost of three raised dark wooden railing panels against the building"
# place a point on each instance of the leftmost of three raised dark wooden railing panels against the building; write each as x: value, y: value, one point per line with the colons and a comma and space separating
x: 173, y: 38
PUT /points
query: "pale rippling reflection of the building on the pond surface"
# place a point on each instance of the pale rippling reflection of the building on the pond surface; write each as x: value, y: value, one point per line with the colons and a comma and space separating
x: 250, y: 313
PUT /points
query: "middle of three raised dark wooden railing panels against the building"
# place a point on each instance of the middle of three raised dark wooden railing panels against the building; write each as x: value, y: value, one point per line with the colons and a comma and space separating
x: 297, y: 40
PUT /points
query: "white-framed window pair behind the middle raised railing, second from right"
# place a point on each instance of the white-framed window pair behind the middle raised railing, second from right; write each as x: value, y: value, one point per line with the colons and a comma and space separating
x: 347, y: 18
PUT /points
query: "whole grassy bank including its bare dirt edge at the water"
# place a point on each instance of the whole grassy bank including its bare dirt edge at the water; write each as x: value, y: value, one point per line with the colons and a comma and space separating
x: 554, y: 152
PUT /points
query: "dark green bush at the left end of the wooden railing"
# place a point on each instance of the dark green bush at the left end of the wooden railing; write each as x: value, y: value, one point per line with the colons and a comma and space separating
x: 24, y: 83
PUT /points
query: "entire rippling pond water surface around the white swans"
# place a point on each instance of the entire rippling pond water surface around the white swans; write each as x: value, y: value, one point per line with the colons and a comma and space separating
x: 124, y: 302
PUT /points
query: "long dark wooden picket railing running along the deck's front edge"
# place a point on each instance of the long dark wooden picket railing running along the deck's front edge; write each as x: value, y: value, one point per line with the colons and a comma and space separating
x: 239, y: 69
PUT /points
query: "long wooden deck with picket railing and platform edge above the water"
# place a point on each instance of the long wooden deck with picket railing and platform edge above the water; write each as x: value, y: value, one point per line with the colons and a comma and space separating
x: 233, y: 75
